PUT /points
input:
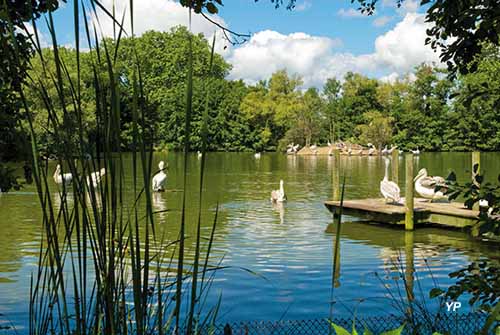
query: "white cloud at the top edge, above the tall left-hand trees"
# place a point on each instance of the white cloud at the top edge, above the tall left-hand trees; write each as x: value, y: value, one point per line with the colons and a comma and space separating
x: 161, y: 16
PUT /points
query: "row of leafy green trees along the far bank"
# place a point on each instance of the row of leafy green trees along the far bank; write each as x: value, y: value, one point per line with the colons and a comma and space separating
x: 426, y: 109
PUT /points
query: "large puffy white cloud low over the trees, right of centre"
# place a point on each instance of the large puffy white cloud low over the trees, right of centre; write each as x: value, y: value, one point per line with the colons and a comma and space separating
x: 317, y: 58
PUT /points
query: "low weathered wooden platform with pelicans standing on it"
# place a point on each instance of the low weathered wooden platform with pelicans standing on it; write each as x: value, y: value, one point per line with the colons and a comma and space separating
x: 449, y: 214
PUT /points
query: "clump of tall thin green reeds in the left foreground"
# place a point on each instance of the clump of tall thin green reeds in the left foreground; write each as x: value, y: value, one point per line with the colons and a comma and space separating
x: 102, y: 261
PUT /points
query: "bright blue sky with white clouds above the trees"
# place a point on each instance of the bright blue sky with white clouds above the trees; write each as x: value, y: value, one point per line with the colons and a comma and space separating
x: 317, y: 40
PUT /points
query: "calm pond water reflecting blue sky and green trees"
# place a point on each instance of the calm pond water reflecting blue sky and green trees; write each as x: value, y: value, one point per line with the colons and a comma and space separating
x: 286, y: 246
